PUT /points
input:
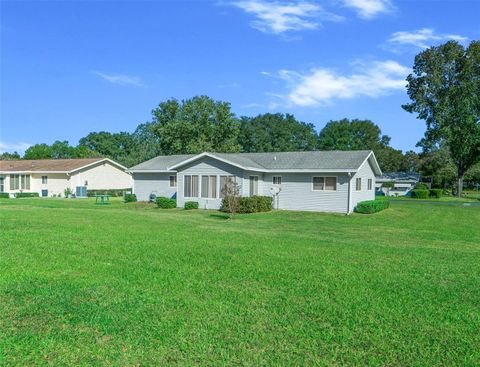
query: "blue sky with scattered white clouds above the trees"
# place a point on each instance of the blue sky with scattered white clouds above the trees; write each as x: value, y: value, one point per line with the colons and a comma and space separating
x: 72, y: 67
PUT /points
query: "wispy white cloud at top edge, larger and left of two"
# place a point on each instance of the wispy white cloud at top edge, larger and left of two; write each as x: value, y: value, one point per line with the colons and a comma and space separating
x: 279, y: 17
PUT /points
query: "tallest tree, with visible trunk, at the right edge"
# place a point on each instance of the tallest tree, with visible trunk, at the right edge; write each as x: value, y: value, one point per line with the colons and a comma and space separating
x: 445, y: 92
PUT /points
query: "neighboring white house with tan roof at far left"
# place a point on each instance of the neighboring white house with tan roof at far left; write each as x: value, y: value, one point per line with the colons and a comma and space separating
x: 51, y: 177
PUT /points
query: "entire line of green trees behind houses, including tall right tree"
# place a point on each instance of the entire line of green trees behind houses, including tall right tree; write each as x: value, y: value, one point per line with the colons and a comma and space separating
x: 444, y: 89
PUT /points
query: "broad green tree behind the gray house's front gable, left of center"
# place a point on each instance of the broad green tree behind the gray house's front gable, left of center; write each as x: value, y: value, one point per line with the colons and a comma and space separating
x: 196, y: 125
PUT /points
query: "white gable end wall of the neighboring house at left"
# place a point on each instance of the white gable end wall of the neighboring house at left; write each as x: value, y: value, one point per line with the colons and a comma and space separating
x: 102, y: 176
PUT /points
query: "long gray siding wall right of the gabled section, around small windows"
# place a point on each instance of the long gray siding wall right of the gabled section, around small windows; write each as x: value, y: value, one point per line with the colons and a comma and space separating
x: 298, y: 194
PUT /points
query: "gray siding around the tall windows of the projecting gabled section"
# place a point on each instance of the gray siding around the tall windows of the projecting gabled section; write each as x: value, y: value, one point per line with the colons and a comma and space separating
x: 207, y: 166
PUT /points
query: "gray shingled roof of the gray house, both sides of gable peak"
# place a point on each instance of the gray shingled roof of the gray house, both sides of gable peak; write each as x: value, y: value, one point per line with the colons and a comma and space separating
x: 316, y: 160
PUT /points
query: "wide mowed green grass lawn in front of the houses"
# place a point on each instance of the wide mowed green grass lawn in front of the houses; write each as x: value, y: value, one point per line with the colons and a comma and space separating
x: 129, y: 284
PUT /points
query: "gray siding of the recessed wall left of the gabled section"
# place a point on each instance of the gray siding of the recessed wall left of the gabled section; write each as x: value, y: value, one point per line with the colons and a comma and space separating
x: 145, y: 184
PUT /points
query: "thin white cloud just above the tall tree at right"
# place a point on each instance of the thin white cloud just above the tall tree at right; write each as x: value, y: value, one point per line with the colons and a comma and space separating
x: 421, y: 38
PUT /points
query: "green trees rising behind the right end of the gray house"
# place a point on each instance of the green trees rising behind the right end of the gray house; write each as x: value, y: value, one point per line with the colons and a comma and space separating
x: 362, y: 135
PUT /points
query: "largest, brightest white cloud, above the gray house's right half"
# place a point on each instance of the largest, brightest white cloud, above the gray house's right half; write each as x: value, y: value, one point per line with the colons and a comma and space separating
x: 321, y: 86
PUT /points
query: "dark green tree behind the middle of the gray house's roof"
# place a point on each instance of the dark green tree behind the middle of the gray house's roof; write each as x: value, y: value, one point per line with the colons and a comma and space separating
x: 276, y: 133
